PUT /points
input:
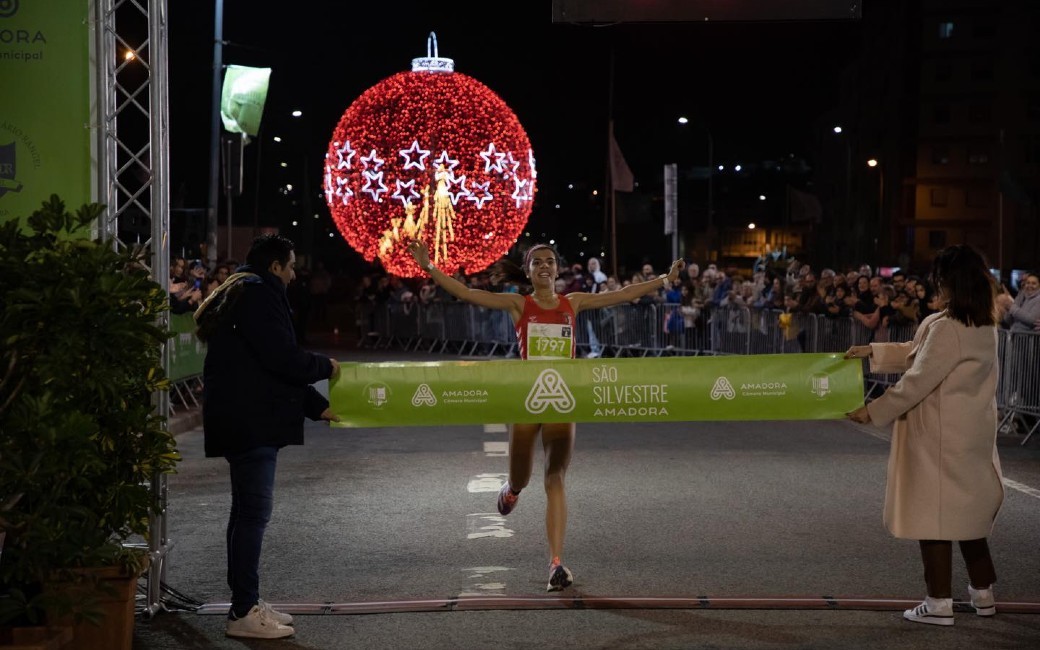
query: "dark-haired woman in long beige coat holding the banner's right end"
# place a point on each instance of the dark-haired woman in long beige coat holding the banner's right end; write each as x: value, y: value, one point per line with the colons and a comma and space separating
x: 945, y: 481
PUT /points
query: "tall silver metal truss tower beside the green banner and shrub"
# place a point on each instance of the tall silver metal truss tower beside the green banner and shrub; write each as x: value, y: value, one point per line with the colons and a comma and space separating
x: 131, y: 119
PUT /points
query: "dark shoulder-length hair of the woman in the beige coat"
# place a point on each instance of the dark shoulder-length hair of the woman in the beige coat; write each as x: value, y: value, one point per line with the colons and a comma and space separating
x: 963, y: 277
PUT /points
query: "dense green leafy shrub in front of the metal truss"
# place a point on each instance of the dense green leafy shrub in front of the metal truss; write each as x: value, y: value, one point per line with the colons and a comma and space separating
x: 81, y: 439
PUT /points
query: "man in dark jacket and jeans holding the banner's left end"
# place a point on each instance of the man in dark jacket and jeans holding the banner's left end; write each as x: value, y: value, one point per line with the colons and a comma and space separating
x: 258, y: 389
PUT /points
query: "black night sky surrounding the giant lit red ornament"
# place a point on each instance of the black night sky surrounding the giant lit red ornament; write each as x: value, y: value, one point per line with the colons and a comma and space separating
x: 761, y: 87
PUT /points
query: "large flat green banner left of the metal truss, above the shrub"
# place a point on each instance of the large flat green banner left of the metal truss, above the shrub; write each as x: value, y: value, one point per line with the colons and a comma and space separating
x: 45, y: 106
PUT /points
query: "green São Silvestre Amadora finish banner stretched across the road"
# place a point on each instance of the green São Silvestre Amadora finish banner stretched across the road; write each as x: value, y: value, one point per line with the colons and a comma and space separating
x: 759, y: 387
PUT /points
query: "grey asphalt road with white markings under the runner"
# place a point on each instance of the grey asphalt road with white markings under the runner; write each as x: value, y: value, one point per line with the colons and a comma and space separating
x: 716, y: 535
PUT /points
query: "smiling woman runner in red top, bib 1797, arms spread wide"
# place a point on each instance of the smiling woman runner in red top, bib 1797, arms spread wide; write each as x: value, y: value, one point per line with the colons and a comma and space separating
x: 544, y: 324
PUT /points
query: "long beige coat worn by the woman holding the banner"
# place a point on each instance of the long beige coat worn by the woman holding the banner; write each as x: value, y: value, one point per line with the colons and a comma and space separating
x: 945, y: 480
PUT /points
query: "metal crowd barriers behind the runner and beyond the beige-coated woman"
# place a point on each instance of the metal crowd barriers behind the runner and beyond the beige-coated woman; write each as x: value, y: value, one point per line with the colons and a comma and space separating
x: 662, y: 329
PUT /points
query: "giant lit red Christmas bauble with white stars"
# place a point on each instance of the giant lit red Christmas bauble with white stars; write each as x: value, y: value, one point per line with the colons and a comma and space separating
x: 430, y: 154
